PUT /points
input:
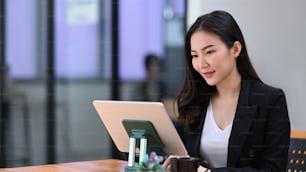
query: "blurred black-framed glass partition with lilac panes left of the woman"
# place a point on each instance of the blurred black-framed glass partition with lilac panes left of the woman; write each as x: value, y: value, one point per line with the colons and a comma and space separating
x: 60, y: 55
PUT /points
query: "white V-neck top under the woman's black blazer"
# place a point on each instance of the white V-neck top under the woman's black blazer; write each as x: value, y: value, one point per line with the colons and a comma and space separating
x: 214, y: 141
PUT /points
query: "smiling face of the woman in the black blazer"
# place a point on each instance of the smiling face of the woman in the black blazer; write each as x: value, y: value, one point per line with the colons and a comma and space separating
x: 212, y: 59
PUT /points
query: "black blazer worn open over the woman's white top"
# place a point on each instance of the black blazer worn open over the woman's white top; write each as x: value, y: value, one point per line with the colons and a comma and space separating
x: 260, y: 135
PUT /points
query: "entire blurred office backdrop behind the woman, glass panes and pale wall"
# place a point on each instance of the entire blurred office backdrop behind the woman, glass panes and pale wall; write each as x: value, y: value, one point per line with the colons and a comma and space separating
x: 57, y: 56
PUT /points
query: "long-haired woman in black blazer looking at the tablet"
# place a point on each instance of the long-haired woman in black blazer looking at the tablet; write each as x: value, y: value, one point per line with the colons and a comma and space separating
x: 227, y: 115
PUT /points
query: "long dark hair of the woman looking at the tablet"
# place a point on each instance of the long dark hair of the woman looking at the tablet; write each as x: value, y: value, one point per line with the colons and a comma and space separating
x: 195, y: 92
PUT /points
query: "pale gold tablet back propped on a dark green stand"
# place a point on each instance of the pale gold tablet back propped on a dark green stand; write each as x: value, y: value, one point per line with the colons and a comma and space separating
x: 113, y: 113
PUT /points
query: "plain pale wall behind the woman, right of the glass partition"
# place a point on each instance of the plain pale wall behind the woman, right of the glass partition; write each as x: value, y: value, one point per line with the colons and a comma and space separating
x: 275, y: 35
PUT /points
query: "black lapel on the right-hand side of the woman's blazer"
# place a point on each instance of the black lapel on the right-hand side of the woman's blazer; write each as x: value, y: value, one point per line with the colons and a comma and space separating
x: 244, y: 116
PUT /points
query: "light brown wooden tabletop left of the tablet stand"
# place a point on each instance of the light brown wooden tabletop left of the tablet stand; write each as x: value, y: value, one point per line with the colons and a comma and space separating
x: 85, y: 166
